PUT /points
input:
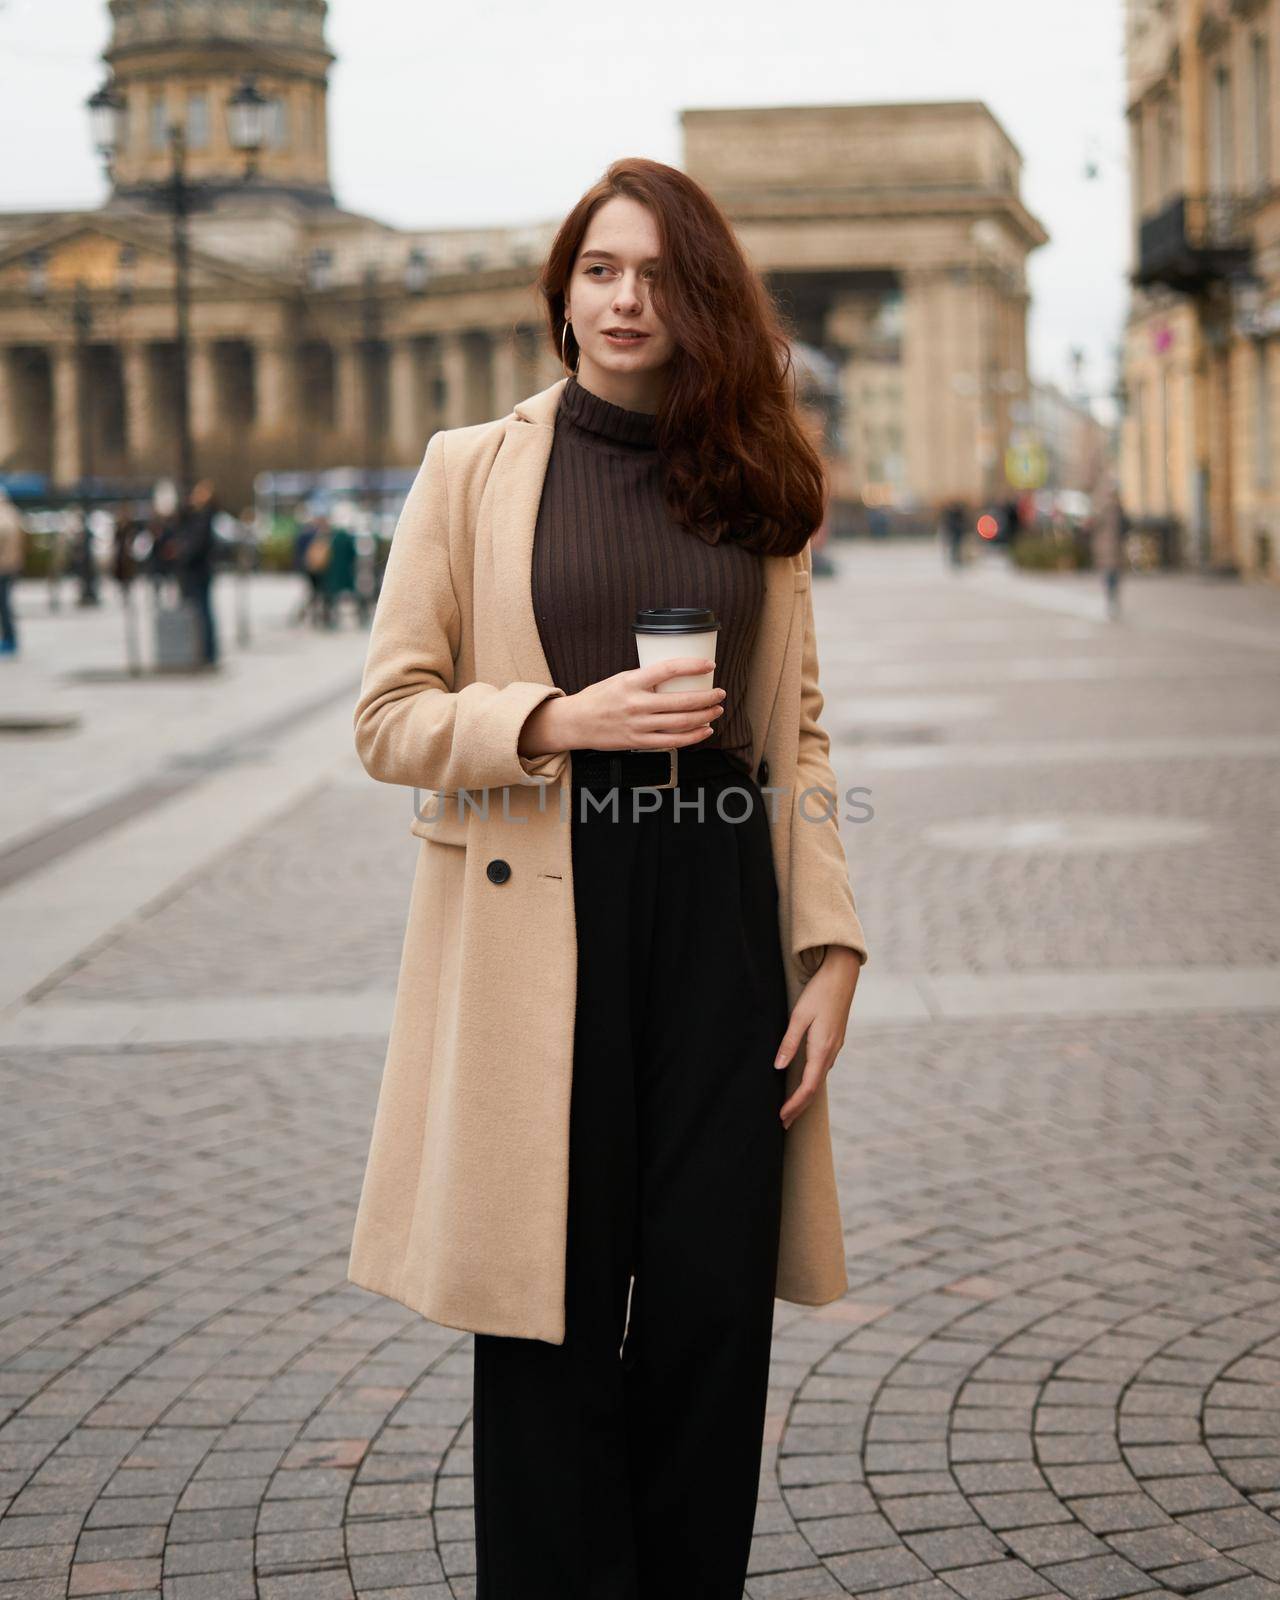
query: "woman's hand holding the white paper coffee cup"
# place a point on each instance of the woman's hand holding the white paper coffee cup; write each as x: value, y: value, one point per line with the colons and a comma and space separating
x: 630, y: 713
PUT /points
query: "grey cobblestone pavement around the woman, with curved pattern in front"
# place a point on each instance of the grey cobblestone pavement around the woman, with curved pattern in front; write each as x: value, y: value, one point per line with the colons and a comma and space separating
x: 1058, y: 1366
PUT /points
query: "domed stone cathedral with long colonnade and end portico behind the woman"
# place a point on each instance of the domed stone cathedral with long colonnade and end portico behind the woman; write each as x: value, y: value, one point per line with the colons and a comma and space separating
x: 894, y: 236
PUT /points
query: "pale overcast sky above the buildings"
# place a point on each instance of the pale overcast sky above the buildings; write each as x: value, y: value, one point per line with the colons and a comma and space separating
x: 503, y: 111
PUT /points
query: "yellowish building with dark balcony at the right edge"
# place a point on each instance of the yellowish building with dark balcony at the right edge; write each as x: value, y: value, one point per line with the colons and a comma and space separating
x: 1202, y: 361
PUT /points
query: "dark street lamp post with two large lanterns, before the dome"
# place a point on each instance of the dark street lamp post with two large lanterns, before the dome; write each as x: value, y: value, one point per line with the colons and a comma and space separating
x: 247, y: 111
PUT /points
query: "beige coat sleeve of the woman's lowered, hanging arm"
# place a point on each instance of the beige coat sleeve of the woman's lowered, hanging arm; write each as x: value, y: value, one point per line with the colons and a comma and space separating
x: 825, y: 910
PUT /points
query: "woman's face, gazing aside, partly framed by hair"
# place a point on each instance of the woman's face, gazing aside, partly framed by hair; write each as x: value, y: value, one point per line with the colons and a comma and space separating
x: 612, y: 289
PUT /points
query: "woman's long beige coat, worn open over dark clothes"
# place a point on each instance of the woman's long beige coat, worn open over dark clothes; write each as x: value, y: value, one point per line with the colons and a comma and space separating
x: 465, y: 1204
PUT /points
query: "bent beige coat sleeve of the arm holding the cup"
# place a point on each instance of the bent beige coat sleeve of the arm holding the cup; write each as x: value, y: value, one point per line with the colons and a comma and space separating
x: 412, y: 727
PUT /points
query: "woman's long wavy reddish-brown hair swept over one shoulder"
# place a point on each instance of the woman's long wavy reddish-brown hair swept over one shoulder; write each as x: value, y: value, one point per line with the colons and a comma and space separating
x: 738, y: 462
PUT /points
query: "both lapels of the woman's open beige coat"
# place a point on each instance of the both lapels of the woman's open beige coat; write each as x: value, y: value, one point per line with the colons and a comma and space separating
x: 516, y: 492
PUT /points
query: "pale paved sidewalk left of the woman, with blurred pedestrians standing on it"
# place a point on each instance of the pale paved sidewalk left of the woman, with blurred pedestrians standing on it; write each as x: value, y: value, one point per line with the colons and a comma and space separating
x: 145, y: 782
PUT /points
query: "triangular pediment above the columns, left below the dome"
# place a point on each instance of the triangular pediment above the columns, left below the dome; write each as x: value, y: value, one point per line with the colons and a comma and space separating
x: 110, y: 255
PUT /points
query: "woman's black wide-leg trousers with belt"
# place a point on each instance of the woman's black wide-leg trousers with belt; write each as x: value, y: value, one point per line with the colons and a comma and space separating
x: 617, y: 1468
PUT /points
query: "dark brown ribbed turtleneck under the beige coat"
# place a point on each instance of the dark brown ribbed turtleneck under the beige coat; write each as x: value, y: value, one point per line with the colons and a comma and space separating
x: 606, y: 546
